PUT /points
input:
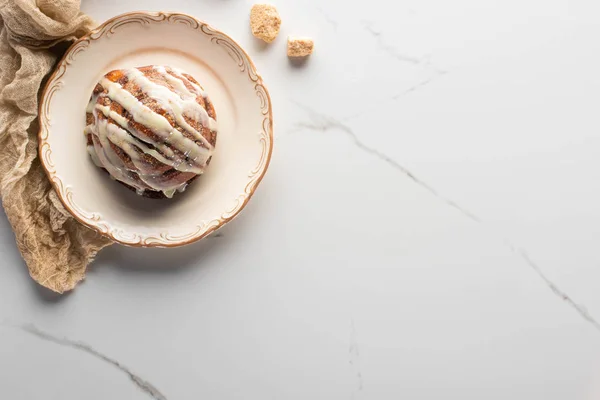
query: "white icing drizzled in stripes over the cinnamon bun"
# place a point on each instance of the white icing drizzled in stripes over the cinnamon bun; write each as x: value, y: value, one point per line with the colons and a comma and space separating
x: 179, y: 102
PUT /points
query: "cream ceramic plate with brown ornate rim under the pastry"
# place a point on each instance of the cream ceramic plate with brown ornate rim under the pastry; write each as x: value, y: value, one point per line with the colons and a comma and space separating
x: 243, y: 148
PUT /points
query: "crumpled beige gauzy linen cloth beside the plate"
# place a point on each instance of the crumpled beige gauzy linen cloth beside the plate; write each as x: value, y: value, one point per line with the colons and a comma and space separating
x: 56, y: 248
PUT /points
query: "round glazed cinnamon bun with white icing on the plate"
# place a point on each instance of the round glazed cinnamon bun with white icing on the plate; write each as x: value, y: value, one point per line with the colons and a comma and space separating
x: 151, y: 128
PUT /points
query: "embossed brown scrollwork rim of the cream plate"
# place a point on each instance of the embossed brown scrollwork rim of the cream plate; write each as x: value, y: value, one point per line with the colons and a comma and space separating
x: 94, y: 220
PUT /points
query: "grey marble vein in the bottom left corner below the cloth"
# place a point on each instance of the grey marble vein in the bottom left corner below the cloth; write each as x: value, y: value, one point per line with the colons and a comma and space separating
x: 143, y: 385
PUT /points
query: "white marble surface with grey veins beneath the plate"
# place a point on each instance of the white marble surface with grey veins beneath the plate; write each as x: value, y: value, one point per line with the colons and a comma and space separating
x: 428, y: 228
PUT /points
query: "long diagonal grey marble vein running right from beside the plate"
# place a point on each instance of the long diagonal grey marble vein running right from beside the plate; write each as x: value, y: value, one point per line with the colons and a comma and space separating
x: 320, y: 122
